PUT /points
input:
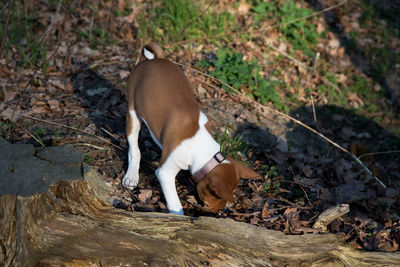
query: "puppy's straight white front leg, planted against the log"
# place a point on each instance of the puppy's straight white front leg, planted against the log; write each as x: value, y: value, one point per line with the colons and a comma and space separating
x: 166, y: 176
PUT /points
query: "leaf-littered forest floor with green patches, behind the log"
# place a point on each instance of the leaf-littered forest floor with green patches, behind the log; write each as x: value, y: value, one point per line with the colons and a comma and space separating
x: 64, y: 67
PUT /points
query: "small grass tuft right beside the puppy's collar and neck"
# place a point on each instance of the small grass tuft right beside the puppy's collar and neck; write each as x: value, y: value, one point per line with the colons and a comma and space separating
x: 231, y: 145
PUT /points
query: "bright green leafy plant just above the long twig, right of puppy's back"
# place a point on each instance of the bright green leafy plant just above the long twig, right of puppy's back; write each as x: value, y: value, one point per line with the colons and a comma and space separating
x: 240, y: 74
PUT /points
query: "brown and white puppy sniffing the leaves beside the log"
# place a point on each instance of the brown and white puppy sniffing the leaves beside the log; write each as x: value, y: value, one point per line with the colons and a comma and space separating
x: 160, y: 95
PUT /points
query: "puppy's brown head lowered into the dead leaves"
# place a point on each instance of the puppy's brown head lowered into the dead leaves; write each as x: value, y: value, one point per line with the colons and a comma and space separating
x: 216, y: 188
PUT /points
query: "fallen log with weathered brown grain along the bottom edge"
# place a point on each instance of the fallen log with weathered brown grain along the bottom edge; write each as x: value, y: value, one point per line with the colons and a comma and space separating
x: 73, y: 225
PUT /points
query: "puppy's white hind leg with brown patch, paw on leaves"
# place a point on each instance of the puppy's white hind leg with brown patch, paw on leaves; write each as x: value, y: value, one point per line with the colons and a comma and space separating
x: 131, y: 178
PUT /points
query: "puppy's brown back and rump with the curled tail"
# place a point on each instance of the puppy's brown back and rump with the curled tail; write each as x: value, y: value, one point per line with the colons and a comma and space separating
x: 162, y: 96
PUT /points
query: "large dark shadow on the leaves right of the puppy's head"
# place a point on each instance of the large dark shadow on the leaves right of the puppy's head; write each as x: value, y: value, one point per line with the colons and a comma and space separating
x: 329, y: 175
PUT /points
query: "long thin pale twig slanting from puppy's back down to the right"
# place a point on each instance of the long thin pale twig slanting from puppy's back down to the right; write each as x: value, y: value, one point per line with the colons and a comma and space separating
x: 262, y: 107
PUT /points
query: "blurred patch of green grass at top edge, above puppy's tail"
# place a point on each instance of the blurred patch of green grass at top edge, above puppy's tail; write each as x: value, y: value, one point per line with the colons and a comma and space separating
x: 175, y: 20
